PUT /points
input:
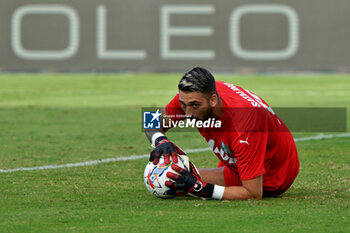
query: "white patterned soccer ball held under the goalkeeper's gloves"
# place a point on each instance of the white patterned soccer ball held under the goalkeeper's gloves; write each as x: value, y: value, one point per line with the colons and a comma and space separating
x: 155, y: 175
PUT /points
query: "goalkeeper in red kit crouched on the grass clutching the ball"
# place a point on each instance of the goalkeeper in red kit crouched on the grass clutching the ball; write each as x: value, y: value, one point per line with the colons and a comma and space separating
x: 257, y: 153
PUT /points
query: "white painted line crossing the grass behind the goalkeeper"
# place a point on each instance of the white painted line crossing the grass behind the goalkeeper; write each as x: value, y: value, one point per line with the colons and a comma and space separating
x: 135, y: 157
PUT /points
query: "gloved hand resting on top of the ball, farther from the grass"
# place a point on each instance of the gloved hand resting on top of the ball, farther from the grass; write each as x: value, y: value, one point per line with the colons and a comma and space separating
x: 166, y: 148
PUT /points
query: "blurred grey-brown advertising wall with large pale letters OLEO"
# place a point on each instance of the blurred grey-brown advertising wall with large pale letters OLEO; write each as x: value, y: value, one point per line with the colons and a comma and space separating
x: 164, y: 35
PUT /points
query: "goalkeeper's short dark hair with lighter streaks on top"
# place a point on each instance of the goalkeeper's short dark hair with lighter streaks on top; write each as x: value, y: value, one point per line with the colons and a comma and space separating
x: 198, y: 79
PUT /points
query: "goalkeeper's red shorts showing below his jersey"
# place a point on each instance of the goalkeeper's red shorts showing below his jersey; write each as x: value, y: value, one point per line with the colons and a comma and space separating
x: 232, y: 179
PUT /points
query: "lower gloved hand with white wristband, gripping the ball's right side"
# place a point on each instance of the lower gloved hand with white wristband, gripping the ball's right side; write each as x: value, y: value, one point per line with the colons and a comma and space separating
x: 188, y: 182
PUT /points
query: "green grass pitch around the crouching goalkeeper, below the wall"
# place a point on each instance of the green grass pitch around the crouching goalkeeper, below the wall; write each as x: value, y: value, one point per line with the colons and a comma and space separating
x: 53, y: 119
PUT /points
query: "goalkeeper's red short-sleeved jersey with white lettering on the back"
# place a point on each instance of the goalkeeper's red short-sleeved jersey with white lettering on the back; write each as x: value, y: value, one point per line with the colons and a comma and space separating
x: 252, y: 140
